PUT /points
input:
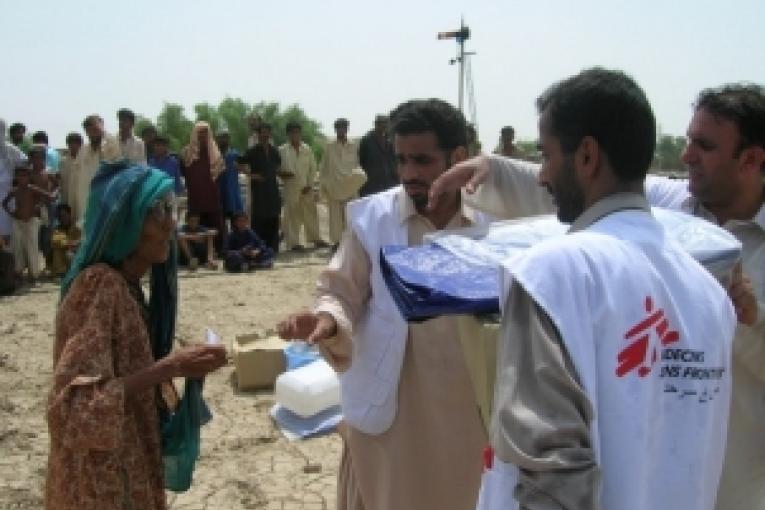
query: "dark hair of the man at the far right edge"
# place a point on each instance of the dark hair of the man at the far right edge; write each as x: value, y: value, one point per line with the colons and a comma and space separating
x: 741, y: 103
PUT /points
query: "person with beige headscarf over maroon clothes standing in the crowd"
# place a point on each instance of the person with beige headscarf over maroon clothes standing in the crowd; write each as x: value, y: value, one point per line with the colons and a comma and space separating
x: 202, y: 165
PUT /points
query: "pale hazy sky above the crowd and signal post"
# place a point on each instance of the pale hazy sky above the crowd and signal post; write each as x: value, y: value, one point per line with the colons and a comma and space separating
x: 65, y: 59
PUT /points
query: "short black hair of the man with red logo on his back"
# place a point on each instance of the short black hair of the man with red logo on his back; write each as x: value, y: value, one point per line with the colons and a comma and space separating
x: 610, y: 107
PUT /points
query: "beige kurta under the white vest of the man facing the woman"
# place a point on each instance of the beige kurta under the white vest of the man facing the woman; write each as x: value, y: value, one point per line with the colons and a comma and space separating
x: 431, y: 457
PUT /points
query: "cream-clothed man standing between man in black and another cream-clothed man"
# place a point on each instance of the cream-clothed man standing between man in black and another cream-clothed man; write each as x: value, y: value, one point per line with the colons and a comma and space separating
x: 298, y: 172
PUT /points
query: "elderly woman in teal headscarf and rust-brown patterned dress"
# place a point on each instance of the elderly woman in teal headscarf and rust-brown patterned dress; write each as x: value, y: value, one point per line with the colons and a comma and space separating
x: 112, y: 349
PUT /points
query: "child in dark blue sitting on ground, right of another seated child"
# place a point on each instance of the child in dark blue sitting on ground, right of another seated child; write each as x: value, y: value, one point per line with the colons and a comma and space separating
x: 243, y: 249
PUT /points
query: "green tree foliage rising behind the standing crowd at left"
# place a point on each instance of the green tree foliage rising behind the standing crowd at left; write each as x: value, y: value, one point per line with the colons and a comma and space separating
x: 232, y: 114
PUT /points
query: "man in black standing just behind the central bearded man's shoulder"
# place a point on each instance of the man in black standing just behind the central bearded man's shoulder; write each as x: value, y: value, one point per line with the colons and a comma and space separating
x: 377, y: 159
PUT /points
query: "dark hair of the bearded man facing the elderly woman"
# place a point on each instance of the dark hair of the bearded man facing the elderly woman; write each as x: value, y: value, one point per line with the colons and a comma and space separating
x: 431, y: 115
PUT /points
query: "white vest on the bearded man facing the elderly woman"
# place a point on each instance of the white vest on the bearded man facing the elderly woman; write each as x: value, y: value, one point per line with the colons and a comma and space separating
x: 369, y: 388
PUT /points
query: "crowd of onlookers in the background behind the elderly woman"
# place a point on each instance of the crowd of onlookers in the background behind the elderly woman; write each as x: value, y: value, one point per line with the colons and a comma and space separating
x: 45, y: 192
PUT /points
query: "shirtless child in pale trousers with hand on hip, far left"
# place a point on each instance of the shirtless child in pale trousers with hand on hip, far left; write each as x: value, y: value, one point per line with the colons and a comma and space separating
x: 29, y: 199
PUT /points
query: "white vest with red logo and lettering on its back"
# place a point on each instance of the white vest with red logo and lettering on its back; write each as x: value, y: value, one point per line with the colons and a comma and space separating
x: 649, y: 332
